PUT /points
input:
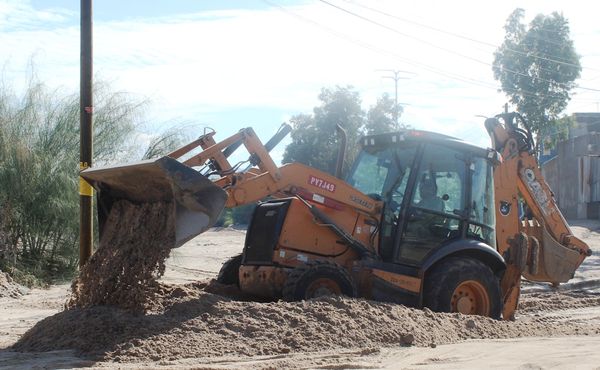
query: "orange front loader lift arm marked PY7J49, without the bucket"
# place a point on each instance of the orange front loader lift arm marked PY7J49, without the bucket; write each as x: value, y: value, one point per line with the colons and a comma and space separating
x: 266, y: 179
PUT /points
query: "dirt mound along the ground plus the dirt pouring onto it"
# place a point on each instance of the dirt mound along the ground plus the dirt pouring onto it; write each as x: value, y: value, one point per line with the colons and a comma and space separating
x: 118, y: 312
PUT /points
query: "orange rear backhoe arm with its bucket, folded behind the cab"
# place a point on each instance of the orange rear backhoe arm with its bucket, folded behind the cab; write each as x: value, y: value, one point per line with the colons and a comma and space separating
x: 542, y: 249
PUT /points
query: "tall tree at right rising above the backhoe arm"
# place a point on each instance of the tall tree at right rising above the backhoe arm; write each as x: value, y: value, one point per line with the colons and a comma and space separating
x: 537, y: 67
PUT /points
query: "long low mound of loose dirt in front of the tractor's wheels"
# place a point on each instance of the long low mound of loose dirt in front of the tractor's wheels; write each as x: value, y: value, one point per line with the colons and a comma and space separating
x: 197, y: 321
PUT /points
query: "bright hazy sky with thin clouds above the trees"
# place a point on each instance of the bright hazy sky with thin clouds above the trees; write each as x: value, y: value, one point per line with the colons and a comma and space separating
x: 233, y: 64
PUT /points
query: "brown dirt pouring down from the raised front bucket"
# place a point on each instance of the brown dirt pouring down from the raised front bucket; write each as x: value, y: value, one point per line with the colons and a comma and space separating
x: 136, y: 240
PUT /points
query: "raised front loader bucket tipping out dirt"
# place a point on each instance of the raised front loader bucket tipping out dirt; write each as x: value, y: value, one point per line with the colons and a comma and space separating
x: 195, y: 200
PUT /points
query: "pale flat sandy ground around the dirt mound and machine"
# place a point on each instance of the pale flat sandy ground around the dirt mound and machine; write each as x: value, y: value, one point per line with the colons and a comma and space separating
x: 567, y: 321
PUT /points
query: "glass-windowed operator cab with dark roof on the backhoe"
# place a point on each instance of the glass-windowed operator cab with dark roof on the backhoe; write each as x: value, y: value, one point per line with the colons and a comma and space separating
x: 437, y: 190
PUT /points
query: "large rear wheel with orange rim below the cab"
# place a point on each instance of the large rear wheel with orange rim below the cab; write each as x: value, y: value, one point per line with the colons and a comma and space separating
x: 463, y: 285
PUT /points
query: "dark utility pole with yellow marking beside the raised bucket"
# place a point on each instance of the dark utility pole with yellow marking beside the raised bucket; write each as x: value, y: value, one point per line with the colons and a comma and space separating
x: 86, y: 110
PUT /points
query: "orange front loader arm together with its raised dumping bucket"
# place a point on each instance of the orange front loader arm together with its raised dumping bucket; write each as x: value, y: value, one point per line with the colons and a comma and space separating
x: 197, y: 181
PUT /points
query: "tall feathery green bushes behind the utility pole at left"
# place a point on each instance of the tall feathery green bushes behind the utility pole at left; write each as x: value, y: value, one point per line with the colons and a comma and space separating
x: 39, y: 157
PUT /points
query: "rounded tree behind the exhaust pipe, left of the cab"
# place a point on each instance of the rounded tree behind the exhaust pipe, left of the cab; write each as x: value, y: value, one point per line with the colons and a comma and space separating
x: 314, y: 139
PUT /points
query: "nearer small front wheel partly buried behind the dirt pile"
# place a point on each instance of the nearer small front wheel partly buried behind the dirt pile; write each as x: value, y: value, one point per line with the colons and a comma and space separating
x: 316, y: 279
